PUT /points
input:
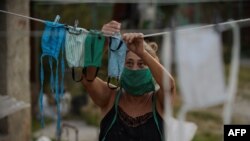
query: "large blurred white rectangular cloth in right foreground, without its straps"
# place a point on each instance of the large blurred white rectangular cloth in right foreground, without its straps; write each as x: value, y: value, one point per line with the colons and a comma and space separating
x: 200, y: 67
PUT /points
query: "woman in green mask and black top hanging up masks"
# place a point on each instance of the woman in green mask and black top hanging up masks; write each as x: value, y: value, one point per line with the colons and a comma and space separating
x: 134, y: 112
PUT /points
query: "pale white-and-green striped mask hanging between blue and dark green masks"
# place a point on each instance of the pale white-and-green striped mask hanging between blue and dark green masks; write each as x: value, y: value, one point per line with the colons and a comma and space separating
x: 74, y: 47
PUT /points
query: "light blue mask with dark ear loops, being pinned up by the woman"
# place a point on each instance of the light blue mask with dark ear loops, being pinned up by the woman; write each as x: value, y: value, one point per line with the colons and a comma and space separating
x: 116, y: 57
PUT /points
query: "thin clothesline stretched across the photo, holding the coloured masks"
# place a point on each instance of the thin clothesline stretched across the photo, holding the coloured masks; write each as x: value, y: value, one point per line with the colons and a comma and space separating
x: 147, y: 35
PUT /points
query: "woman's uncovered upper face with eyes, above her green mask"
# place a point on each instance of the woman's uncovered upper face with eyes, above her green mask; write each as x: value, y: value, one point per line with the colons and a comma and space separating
x: 133, y: 61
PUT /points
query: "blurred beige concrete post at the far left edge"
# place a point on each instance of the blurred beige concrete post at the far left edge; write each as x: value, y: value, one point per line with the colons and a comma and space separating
x: 15, y: 67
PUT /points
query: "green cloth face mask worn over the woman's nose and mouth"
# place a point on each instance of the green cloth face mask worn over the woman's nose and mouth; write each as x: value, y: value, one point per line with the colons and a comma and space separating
x: 137, y: 82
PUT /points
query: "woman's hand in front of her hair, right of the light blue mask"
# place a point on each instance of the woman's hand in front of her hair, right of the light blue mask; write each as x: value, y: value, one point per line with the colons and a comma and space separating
x: 134, y: 42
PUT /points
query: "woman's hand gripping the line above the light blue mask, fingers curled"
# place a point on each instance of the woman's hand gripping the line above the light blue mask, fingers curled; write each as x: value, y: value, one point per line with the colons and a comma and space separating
x: 111, y: 28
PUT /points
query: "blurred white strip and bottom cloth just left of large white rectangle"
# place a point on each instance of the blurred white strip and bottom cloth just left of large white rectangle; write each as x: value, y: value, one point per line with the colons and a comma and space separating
x: 177, y: 130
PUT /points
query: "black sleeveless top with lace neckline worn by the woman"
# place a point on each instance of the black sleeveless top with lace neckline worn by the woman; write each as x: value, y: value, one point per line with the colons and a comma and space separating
x: 118, y: 126
